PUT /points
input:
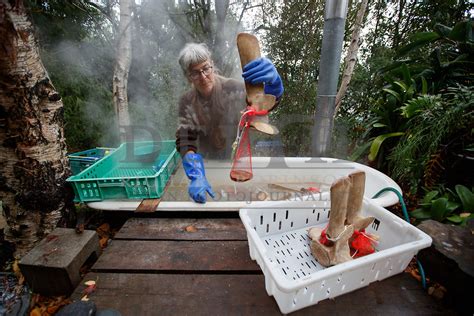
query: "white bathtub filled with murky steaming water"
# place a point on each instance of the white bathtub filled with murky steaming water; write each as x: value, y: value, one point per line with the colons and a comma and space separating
x: 293, y: 173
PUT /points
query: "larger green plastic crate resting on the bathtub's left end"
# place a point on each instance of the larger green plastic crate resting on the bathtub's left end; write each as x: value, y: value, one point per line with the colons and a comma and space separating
x: 133, y: 171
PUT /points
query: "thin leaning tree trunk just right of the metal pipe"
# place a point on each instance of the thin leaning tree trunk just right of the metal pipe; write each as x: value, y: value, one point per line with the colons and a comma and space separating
x: 351, y: 57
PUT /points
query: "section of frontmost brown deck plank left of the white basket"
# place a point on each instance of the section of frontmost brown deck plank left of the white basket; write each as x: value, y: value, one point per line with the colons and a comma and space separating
x: 177, y: 294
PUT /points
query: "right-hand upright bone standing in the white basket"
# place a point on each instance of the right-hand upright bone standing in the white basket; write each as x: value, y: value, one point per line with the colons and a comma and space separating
x: 354, y: 205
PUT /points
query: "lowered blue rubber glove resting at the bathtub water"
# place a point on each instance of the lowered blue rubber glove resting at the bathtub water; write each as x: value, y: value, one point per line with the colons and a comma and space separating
x: 194, y: 168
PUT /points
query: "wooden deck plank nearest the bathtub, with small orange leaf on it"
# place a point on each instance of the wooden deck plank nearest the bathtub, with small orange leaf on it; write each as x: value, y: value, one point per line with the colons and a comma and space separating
x: 175, y: 229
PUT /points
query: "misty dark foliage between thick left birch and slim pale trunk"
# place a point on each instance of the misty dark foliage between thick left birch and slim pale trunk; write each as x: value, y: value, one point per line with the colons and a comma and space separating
x: 75, y: 49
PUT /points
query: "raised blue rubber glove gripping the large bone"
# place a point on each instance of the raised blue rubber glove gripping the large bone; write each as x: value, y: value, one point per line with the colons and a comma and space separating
x: 261, y: 70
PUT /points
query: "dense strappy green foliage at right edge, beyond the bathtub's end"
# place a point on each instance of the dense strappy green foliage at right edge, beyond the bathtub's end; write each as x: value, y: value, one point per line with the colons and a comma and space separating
x: 426, y: 101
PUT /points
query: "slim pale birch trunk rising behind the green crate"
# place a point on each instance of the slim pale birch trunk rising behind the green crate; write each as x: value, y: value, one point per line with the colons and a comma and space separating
x: 122, y: 65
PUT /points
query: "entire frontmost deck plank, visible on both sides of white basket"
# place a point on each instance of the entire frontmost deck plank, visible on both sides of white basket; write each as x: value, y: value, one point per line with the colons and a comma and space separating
x: 177, y: 294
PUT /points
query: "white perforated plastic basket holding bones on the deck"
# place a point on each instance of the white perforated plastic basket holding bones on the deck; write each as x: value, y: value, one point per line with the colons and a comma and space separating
x: 278, y: 241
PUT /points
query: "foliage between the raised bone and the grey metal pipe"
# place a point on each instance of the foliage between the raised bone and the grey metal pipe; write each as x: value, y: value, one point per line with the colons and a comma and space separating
x: 293, y: 42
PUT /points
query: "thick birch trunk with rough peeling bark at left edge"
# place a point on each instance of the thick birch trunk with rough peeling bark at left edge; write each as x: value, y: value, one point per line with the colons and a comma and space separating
x: 33, y: 162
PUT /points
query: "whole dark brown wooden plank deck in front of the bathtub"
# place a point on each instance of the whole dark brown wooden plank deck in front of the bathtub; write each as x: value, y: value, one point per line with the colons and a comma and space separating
x: 155, y: 266
